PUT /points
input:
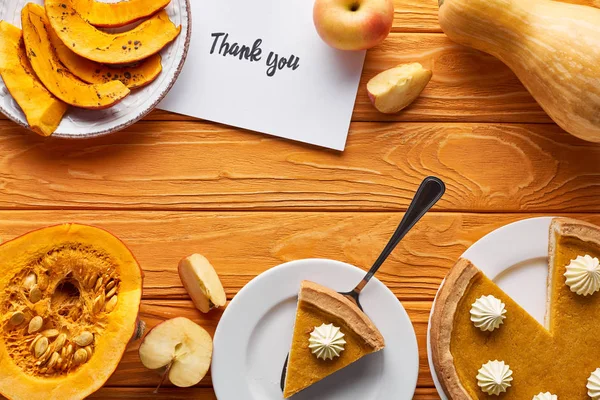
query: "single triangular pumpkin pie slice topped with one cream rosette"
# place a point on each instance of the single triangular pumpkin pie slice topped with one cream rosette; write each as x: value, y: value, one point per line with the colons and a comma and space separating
x: 322, y: 311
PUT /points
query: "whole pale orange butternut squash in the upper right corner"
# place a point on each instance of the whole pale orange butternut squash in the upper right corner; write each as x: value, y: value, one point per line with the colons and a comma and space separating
x: 553, y: 47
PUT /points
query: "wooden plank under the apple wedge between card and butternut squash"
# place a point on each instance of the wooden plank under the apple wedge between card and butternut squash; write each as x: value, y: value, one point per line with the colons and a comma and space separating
x: 467, y: 85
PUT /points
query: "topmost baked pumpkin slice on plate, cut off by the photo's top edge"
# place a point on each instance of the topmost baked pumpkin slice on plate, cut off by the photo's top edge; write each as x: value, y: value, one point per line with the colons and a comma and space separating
x: 113, y: 15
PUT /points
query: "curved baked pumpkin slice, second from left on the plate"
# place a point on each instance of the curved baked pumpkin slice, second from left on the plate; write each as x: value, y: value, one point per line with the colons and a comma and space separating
x: 54, y: 75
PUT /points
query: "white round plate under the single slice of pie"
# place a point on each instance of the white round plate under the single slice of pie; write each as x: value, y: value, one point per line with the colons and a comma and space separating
x: 255, y: 333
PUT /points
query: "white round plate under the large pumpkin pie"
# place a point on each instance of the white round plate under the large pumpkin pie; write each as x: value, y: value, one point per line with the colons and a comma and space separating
x: 515, y: 257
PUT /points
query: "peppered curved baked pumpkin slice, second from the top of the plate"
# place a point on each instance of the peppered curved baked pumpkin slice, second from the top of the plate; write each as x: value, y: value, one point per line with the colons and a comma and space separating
x: 146, y: 39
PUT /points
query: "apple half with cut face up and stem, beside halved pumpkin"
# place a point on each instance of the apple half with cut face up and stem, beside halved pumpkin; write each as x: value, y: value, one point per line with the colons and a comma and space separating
x: 181, y: 346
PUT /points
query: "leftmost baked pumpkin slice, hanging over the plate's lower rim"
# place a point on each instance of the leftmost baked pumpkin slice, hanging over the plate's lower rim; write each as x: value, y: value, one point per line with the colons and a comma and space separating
x: 42, y: 110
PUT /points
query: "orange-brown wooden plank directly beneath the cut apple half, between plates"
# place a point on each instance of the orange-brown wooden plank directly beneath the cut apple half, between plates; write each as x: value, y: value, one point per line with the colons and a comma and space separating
x: 132, y: 373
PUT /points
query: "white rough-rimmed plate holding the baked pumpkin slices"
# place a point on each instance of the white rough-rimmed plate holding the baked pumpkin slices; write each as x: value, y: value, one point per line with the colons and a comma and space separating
x: 79, y: 123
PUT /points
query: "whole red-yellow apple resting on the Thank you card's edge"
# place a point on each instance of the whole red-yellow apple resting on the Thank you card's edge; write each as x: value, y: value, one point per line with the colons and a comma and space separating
x: 353, y: 24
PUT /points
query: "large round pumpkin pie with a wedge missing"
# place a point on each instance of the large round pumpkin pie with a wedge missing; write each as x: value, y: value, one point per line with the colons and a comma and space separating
x: 558, y: 358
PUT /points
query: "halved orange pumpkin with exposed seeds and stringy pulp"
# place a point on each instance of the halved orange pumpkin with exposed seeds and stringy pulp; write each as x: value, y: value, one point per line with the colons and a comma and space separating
x: 69, y: 300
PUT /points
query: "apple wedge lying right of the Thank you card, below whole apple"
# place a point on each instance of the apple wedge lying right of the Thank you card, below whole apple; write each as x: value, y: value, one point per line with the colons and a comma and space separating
x: 396, y: 88
